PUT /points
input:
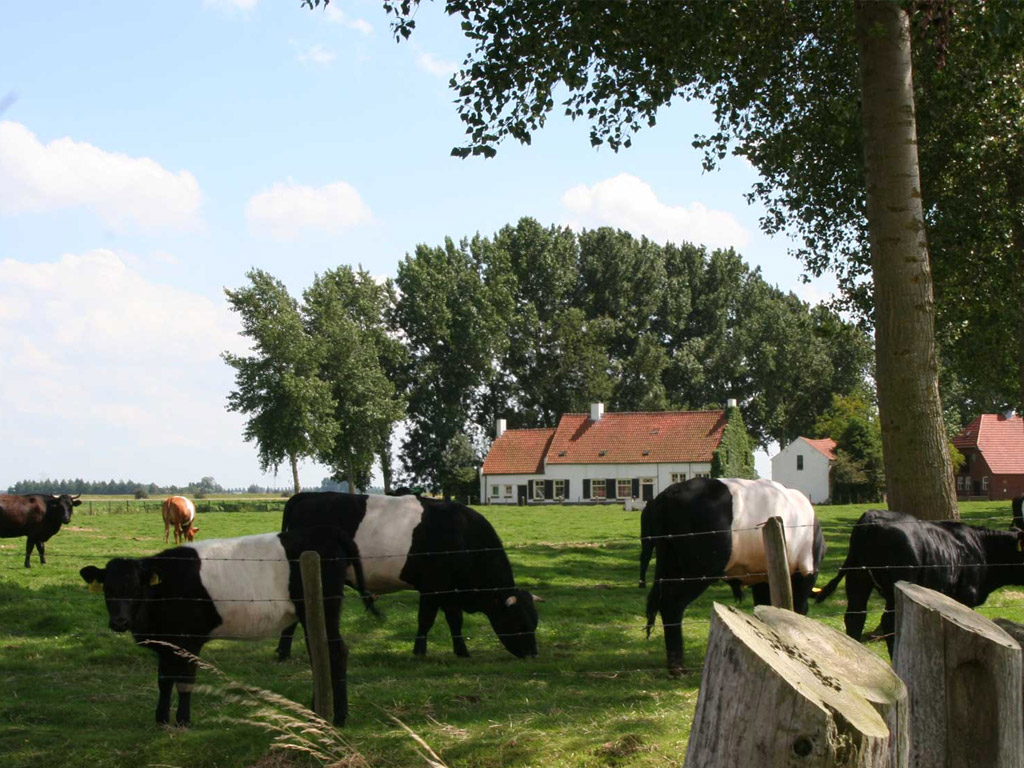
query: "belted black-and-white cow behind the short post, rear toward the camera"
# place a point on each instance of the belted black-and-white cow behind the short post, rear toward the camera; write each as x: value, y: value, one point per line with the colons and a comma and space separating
x: 707, y: 530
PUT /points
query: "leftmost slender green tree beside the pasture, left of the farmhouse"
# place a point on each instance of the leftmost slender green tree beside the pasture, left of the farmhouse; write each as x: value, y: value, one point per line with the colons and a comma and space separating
x: 289, y: 407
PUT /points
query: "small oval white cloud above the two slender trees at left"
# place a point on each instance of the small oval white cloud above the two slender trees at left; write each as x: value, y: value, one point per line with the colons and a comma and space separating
x: 288, y: 210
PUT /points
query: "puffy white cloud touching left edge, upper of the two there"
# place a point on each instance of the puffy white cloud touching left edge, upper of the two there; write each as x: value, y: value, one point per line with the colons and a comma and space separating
x: 125, y: 192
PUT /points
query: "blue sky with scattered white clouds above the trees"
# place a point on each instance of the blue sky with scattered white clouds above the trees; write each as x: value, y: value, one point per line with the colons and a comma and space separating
x: 153, y: 153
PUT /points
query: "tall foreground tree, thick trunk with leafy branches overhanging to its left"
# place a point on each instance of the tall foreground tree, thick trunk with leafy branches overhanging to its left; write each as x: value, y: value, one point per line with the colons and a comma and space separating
x: 785, y: 80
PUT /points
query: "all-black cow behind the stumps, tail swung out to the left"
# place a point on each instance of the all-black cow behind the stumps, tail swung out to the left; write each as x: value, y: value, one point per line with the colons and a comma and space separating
x: 954, y: 559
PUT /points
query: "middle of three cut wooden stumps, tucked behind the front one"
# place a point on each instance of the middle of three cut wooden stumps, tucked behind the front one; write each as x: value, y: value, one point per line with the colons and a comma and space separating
x: 866, y: 673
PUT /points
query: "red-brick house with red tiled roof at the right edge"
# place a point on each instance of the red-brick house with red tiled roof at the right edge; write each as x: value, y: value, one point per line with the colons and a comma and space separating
x: 994, y: 447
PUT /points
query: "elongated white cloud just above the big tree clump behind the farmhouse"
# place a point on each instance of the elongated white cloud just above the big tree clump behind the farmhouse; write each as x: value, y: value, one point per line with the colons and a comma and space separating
x: 628, y: 203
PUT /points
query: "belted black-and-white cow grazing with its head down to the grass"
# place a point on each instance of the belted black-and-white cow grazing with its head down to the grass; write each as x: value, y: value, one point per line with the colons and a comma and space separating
x: 449, y: 552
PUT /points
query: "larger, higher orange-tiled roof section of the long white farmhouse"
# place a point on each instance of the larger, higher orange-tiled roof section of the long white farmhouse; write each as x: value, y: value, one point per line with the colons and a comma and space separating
x: 637, y: 438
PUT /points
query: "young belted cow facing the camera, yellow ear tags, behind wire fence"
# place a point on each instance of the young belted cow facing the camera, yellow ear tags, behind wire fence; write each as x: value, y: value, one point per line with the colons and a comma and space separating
x: 243, y: 588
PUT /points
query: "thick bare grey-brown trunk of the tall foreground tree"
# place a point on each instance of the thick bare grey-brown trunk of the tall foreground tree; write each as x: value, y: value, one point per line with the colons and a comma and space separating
x: 919, y: 474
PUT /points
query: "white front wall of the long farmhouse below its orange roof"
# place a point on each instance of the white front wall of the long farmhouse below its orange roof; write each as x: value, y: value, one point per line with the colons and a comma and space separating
x: 577, y: 474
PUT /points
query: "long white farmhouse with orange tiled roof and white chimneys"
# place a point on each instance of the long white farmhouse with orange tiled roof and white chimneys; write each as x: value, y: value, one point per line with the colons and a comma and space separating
x: 602, y: 458
